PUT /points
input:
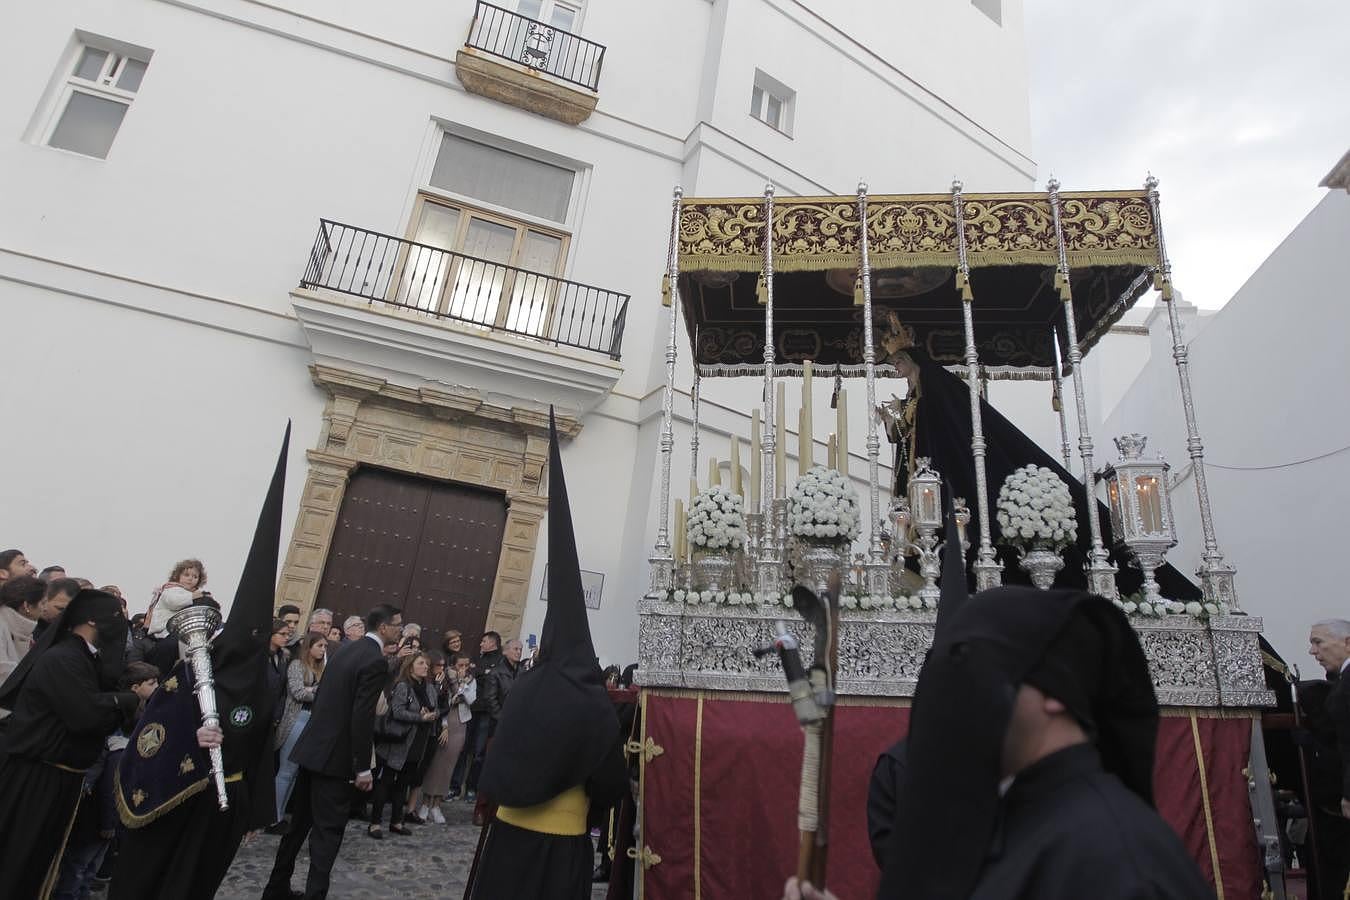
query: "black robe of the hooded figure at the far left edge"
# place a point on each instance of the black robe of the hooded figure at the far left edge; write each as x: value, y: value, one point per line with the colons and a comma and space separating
x: 60, y: 723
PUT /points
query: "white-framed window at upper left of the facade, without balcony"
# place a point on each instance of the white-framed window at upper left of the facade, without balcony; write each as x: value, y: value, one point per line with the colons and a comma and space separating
x: 99, y: 87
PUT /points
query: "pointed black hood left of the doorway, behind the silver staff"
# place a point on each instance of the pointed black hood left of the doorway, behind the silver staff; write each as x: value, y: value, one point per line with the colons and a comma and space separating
x: 244, y: 640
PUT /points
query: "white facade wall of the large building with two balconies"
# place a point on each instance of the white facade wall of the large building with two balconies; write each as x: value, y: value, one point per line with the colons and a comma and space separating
x: 254, y: 121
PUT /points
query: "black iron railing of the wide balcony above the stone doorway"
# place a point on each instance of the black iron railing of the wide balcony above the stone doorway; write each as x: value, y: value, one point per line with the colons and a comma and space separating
x: 465, y: 289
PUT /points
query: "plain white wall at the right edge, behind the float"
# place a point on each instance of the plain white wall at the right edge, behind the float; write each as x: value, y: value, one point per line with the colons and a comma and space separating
x: 1270, y: 376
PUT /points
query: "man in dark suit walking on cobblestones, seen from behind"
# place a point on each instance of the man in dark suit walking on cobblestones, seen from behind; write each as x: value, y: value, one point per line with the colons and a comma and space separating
x: 334, y: 752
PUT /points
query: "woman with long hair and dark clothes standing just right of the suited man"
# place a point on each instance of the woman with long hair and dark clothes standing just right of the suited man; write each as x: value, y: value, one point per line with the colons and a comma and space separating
x: 402, y: 739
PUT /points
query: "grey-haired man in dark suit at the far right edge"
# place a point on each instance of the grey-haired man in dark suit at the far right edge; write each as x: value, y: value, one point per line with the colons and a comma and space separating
x: 1329, y: 643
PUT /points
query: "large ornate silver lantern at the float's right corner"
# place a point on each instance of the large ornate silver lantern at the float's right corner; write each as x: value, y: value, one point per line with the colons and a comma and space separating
x: 1141, y: 508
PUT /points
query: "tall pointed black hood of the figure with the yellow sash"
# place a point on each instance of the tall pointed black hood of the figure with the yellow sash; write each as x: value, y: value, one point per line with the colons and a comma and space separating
x: 560, y: 723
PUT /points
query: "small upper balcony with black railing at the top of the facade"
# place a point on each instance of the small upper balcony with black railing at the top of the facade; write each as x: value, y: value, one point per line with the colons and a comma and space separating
x: 530, y: 64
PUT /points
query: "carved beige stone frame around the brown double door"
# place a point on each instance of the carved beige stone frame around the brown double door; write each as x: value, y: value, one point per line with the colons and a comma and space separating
x: 438, y: 432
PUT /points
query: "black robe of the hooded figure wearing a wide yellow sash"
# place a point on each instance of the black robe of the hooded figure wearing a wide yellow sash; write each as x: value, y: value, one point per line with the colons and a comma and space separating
x: 560, y: 867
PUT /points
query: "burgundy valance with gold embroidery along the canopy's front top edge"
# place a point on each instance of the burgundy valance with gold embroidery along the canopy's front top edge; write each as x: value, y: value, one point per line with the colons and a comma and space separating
x: 907, y: 231
